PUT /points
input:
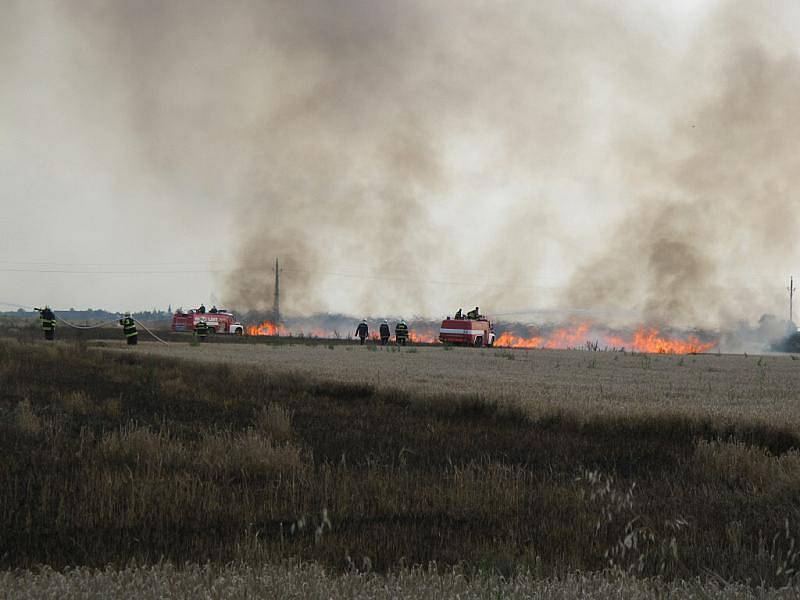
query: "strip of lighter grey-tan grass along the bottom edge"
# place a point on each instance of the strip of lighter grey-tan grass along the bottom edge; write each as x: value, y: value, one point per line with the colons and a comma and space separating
x: 310, y: 582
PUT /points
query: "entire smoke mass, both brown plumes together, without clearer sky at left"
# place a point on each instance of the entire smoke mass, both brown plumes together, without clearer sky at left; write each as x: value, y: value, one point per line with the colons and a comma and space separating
x: 434, y: 142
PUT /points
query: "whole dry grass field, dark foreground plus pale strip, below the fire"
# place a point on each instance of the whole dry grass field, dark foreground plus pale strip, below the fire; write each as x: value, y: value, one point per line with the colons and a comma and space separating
x: 518, y: 469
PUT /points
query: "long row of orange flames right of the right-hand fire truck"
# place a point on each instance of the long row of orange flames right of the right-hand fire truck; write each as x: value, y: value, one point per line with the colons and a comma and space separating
x: 644, y: 340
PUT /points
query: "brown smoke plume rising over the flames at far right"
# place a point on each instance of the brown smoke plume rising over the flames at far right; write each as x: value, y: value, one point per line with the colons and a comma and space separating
x: 702, y: 246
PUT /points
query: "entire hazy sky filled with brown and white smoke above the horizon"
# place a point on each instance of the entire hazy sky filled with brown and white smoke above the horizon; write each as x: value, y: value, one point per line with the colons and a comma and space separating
x: 409, y: 158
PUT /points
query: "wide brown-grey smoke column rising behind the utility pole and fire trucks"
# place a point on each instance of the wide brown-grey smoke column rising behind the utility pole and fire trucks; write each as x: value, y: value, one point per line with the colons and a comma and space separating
x: 400, y: 156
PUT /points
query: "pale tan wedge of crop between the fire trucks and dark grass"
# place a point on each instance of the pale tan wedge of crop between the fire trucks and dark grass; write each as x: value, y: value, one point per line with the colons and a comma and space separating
x: 731, y: 387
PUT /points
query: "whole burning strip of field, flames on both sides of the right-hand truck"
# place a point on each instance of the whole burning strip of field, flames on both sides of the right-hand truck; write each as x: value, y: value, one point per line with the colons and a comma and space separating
x: 574, y: 335
